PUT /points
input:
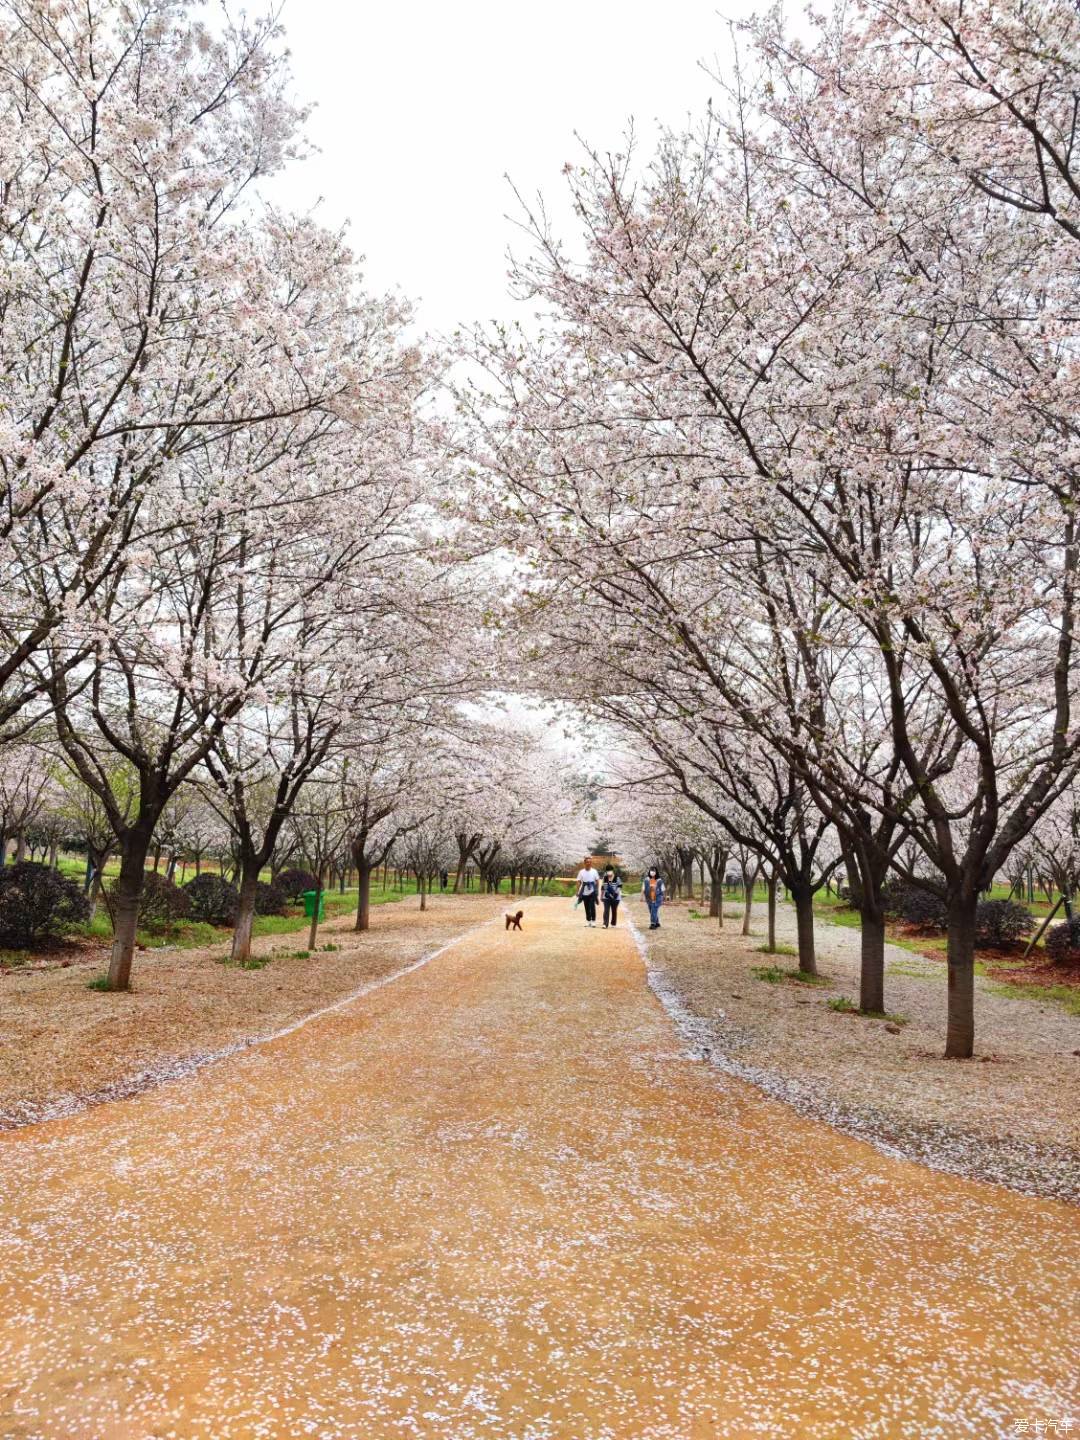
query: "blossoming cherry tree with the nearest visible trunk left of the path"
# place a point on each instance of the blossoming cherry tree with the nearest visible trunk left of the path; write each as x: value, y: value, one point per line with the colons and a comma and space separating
x: 238, y: 608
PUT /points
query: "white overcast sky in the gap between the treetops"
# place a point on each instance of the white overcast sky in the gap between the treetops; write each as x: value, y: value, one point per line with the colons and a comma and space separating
x: 424, y: 109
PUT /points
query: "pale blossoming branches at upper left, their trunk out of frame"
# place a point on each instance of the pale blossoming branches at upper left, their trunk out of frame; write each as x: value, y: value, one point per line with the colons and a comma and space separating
x: 142, y: 320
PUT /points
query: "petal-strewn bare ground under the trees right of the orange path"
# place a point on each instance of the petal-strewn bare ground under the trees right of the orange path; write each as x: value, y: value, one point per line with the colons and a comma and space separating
x: 1012, y: 1117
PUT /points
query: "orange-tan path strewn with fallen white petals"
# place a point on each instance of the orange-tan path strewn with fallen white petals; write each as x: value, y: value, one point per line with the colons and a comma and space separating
x: 493, y: 1202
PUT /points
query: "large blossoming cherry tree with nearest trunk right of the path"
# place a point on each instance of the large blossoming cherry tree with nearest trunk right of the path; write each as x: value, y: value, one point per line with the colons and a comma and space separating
x: 793, y: 351
